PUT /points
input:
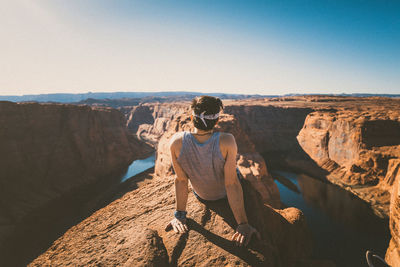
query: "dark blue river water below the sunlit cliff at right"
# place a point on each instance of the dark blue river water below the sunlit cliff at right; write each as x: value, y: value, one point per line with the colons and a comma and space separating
x: 343, y: 227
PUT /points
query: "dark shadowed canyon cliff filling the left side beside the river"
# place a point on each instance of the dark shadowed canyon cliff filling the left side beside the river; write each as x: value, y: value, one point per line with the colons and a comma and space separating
x: 48, y: 151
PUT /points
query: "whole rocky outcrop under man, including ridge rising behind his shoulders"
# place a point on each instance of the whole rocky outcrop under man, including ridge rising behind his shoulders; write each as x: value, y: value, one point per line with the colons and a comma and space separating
x: 109, y: 236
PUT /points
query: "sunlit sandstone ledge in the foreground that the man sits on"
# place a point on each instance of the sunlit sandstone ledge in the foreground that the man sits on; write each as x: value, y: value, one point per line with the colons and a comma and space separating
x: 110, y: 236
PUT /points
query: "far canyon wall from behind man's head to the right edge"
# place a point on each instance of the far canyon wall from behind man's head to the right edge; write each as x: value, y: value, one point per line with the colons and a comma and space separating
x: 348, y: 141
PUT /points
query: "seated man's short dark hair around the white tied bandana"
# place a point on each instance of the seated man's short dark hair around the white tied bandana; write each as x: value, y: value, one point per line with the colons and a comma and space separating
x: 209, y: 104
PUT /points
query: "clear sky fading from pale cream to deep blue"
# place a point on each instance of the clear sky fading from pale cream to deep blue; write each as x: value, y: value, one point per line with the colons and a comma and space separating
x: 265, y: 47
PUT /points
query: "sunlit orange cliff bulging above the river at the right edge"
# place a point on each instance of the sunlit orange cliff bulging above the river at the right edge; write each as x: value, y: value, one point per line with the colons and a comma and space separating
x: 353, y: 152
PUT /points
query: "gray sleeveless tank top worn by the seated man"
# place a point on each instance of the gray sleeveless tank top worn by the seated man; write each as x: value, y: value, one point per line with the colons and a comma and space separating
x: 204, y: 165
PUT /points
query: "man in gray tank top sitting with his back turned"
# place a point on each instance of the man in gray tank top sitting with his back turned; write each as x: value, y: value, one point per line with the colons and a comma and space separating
x: 208, y: 160
